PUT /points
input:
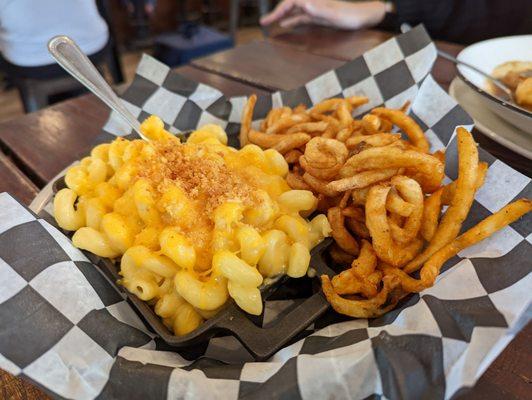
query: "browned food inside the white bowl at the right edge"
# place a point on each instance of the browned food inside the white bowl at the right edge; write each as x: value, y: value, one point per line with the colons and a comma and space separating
x: 517, y: 75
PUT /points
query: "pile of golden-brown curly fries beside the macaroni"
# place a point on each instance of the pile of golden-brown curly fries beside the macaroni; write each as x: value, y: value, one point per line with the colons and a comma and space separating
x: 383, y: 193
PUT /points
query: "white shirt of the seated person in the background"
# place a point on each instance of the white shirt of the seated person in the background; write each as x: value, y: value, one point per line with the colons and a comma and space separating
x: 27, y: 25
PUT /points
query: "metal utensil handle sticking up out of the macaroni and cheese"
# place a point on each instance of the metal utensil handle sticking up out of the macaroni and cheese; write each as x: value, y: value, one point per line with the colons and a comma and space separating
x: 68, y: 54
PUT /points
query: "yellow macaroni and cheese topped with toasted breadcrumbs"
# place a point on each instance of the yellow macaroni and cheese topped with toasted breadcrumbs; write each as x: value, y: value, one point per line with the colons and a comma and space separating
x: 192, y: 224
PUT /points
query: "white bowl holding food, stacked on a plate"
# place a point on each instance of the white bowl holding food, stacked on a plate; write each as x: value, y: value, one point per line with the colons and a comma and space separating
x: 487, y: 55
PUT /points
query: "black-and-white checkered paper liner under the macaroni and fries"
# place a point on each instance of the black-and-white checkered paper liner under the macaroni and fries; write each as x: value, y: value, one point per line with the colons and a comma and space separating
x: 66, y: 328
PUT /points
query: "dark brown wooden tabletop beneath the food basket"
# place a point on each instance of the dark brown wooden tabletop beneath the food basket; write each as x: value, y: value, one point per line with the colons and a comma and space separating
x: 38, y: 146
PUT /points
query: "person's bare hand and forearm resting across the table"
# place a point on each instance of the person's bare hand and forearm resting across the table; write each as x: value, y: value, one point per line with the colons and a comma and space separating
x: 338, y: 14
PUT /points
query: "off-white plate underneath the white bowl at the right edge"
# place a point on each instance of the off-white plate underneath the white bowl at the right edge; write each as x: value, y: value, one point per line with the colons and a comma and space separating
x: 488, y: 123
